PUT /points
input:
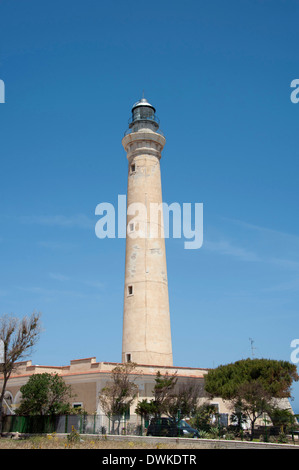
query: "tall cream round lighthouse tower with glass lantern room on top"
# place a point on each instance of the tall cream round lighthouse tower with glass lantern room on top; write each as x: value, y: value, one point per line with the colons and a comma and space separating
x: 146, y: 318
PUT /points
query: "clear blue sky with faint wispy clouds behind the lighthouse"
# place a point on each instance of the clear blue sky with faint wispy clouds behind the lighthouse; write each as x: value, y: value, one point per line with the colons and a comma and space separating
x: 219, y: 75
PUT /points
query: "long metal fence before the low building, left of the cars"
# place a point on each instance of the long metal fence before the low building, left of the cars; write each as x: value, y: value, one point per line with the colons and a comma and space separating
x: 84, y: 424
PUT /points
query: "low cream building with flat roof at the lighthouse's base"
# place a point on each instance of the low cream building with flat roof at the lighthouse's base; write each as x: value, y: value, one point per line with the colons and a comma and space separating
x: 87, y: 377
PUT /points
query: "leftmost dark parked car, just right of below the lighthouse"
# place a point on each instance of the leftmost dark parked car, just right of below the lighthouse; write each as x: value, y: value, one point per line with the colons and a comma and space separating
x: 166, y: 427
